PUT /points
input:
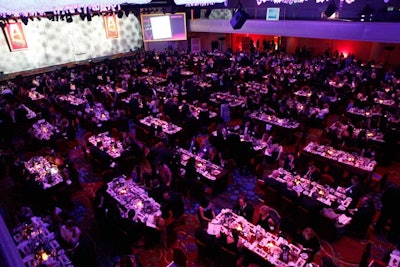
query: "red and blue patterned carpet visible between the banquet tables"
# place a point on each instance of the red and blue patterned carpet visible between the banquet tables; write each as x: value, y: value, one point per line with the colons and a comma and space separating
x: 345, y: 252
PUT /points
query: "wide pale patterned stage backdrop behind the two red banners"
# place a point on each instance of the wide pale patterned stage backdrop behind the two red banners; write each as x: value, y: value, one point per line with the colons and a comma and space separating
x: 58, y: 42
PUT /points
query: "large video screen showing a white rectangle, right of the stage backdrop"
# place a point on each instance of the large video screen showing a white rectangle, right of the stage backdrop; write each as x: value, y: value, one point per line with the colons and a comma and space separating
x: 164, y: 27
